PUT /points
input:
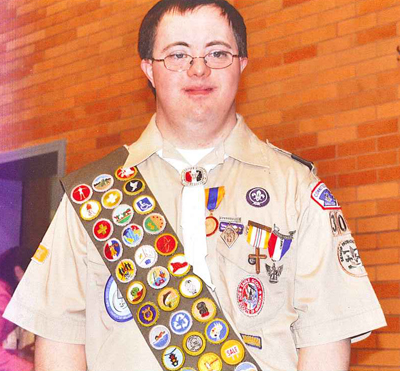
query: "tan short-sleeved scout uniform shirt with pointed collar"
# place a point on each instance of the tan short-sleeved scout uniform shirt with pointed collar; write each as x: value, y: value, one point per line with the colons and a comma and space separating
x: 317, y: 297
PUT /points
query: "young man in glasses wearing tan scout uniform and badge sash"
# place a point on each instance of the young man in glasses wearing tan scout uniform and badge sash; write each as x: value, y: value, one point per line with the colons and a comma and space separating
x: 278, y: 258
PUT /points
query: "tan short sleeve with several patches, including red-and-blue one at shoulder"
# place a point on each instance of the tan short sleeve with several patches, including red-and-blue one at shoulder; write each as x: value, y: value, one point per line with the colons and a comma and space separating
x: 333, y: 296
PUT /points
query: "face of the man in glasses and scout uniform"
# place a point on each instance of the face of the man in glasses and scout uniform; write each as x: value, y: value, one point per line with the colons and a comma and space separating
x: 199, y: 93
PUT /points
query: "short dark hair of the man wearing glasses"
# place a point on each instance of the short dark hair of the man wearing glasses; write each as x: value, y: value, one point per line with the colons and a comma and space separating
x: 148, y: 28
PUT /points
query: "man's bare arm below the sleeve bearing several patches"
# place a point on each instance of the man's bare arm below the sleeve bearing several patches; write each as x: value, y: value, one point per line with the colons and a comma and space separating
x: 328, y: 357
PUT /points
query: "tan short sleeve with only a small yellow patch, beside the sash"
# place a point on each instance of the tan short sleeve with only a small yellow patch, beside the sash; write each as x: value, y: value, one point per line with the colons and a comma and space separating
x: 50, y: 299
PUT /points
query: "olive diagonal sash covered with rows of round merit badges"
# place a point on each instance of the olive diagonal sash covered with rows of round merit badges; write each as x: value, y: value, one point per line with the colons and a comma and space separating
x: 174, y: 310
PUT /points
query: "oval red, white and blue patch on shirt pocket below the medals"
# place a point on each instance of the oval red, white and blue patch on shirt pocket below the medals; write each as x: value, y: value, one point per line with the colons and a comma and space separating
x: 250, y: 296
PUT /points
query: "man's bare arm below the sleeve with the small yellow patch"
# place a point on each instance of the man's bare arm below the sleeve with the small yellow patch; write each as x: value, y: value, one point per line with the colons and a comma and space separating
x: 54, y: 356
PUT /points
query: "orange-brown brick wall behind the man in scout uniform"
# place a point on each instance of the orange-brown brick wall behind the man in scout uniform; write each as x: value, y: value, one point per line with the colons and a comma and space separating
x: 323, y: 82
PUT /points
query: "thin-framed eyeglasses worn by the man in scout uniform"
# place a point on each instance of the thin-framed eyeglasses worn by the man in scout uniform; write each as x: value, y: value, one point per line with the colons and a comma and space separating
x: 179, y: 62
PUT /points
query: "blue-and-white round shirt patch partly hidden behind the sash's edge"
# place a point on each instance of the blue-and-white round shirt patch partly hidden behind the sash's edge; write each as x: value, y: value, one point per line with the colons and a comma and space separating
x: 115, y: 304
